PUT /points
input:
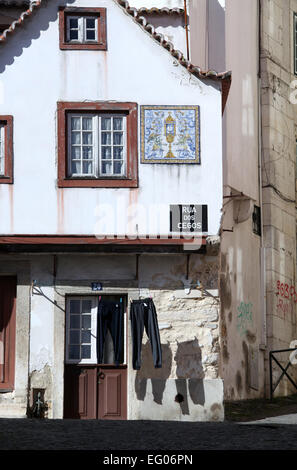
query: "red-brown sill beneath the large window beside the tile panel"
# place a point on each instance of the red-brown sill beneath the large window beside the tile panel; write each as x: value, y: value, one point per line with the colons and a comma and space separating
x: 97, y: 183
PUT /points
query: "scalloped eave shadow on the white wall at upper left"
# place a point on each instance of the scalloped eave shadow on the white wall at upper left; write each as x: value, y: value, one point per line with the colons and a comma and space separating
x: 30, y: 30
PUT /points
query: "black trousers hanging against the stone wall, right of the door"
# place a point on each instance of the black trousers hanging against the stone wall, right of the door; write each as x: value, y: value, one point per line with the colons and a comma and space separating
x: 143, y: 315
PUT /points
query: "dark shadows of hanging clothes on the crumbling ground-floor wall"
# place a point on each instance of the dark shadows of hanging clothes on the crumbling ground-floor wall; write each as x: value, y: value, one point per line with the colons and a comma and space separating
x: 189, y: 372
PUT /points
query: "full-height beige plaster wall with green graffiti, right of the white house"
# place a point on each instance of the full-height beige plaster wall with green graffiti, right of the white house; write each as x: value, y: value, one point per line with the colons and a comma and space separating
x: 242, y: 322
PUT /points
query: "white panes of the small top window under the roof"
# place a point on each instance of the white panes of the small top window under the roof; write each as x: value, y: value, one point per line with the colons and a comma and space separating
x: 82, y: 29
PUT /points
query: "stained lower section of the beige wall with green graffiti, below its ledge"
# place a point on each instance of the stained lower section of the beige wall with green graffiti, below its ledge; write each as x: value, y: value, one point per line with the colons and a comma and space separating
x: 242, y: 325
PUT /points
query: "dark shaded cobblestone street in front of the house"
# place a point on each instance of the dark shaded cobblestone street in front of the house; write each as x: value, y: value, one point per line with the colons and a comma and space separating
x: 34, y: 434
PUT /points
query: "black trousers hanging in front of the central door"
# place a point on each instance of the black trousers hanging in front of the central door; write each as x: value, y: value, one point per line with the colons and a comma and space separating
x: 110, y: 317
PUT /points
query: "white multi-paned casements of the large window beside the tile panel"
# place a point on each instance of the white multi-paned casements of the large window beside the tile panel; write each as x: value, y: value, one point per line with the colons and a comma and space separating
x: 97, y: 145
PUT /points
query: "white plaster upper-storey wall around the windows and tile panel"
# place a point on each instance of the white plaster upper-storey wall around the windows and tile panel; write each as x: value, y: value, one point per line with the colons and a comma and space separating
x: 35, y: 74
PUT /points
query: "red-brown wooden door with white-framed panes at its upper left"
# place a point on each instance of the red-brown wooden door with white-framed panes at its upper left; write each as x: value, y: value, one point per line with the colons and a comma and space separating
x: 91, y: 391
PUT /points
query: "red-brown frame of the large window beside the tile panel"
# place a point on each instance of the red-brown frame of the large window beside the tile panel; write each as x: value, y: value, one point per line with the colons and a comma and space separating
x: 131, y: 178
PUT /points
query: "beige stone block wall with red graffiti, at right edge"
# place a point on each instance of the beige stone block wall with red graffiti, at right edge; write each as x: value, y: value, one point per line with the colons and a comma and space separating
x: 278, y: 173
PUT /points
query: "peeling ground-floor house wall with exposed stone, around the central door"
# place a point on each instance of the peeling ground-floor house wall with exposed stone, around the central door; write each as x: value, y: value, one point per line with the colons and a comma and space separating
x: 188, y: 322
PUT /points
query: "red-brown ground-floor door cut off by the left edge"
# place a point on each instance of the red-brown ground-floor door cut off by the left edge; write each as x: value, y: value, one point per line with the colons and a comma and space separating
x: 7, y: 384
